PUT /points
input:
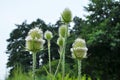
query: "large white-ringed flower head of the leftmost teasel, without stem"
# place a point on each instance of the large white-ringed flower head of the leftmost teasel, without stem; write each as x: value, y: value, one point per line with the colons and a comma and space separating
x: 34, y: 40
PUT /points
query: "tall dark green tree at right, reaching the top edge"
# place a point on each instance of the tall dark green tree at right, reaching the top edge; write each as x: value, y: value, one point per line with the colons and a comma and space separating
x: 102, y: 34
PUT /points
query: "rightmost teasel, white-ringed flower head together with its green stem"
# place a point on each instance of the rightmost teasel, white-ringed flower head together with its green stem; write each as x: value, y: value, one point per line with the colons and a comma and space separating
x: 79, y: 52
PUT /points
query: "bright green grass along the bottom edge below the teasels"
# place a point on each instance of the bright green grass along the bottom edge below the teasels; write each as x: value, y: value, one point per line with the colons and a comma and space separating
x: 18, y: 74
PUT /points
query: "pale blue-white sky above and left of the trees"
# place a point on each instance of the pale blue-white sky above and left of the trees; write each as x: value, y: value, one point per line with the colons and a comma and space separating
x: 16, y: 11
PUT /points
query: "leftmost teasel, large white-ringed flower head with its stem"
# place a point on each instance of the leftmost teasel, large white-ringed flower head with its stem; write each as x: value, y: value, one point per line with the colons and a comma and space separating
x: 34, y: 43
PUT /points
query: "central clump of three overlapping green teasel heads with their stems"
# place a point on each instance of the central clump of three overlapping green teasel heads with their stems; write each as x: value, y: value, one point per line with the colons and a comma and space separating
x: 66, y: 18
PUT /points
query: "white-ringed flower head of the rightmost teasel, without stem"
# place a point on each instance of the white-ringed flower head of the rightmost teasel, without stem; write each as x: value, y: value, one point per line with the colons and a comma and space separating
x: 79, y: 49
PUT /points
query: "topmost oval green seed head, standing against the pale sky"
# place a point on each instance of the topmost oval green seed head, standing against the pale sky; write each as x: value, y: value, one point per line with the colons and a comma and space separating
x: 67, y: 15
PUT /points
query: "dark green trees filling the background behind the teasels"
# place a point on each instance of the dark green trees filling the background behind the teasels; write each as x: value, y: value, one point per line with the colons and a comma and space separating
x: 101, y: 30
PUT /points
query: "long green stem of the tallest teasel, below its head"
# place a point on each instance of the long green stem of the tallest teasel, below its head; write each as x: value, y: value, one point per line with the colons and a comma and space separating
x: 63, y: 57
